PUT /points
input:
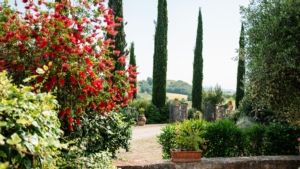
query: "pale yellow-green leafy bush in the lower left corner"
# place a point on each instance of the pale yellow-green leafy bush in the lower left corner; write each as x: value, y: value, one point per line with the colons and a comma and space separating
x: 30, y: 128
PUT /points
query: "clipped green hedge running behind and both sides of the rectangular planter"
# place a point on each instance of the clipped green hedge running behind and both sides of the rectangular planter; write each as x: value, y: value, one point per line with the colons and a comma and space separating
x: 227, y: 140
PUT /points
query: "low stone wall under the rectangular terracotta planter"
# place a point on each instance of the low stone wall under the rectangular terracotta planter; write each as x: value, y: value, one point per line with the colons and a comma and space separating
x: 257, y: 162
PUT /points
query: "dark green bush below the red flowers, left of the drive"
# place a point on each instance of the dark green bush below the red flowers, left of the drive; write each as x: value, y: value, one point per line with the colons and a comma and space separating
x: 103, y: 133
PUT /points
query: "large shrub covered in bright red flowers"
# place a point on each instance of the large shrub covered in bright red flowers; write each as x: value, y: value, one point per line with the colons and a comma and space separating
x: 64, y: 50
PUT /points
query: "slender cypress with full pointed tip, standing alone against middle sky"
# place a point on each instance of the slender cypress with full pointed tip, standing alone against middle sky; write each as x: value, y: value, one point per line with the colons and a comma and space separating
x: 198, y: 67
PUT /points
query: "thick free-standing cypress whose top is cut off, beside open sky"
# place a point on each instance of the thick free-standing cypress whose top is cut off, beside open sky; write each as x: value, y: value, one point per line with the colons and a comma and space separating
x: 160, y: 56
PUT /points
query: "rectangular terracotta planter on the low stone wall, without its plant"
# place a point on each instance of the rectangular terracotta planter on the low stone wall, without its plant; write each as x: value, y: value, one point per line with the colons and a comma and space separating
x: 186, y: 156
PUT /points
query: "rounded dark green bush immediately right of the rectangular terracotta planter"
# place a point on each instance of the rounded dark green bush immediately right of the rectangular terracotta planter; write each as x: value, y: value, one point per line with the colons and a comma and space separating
x: 225, y: 139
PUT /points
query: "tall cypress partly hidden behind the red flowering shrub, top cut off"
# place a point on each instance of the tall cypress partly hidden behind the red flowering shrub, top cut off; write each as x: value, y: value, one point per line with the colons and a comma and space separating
x: 120, y: 42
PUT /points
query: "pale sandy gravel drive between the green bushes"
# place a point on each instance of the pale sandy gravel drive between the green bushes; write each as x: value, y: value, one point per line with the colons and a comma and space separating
x: 144, y: 148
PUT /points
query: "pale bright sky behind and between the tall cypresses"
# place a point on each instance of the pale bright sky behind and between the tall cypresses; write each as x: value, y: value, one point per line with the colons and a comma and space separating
x: 221, y: 31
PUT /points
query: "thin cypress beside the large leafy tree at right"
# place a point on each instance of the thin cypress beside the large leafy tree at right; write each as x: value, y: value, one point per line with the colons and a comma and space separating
x: 241, y: 69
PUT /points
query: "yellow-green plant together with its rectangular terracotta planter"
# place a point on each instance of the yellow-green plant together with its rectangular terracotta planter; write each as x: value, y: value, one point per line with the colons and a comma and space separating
x: 188, y: 142
